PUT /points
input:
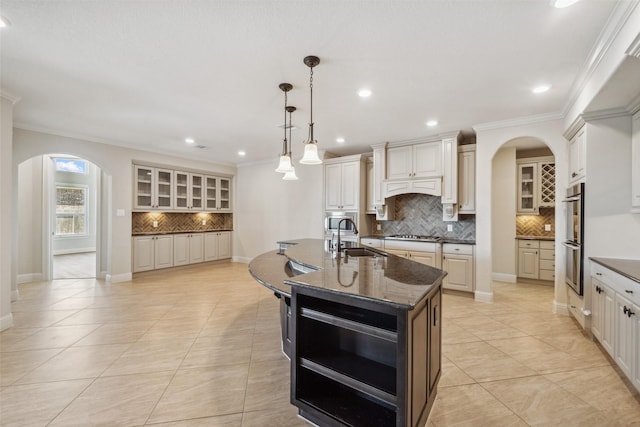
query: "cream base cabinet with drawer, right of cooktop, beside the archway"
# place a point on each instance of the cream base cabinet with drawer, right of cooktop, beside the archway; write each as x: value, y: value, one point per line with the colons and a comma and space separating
x: 458, y: 262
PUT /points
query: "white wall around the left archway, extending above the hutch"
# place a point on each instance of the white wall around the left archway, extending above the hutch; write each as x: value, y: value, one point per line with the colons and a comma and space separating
x: 116, y: 163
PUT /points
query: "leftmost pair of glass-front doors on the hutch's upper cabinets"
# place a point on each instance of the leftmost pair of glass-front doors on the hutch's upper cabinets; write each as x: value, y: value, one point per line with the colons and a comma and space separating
x: 153, y: 188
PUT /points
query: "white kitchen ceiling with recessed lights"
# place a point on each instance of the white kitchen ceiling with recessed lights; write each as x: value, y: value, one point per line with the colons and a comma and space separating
x: 148, y: 74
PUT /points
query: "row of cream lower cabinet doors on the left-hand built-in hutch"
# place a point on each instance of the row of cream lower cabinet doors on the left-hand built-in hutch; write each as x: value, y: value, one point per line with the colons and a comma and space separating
x: 153, y: 252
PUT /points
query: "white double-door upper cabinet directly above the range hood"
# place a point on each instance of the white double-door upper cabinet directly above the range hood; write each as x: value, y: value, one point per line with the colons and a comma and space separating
x: 414, y: 161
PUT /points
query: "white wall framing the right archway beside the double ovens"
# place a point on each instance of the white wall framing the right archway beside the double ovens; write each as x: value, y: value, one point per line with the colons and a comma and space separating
x: 489, y: 142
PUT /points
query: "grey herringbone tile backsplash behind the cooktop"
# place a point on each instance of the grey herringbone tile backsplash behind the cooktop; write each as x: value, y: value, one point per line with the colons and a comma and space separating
x: 421, y: 214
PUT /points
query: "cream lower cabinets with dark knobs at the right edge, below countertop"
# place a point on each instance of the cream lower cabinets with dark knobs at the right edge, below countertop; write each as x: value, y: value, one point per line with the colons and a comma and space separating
x: 616, y: 318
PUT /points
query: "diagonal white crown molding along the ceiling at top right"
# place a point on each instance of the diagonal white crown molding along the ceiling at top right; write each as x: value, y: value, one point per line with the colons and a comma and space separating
x: 618, y: 18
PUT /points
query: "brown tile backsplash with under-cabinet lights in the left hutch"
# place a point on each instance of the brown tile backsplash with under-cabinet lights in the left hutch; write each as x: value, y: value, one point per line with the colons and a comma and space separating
x: 142, y: 222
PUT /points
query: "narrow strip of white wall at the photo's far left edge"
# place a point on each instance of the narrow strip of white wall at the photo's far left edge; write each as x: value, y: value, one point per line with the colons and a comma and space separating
x: 7, y: 260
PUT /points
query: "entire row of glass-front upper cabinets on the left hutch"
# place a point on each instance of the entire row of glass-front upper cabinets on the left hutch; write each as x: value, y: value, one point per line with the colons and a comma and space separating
x: 166, y: 189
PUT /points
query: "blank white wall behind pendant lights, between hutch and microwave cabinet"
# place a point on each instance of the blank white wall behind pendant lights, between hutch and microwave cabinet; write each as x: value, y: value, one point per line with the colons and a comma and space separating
x: 269, y: 209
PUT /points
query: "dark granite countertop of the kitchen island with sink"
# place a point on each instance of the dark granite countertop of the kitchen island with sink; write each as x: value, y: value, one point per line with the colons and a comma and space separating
x: 385, y: 278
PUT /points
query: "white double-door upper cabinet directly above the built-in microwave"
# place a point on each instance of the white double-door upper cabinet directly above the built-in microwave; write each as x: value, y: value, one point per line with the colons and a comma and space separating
x: 342, y: 185
